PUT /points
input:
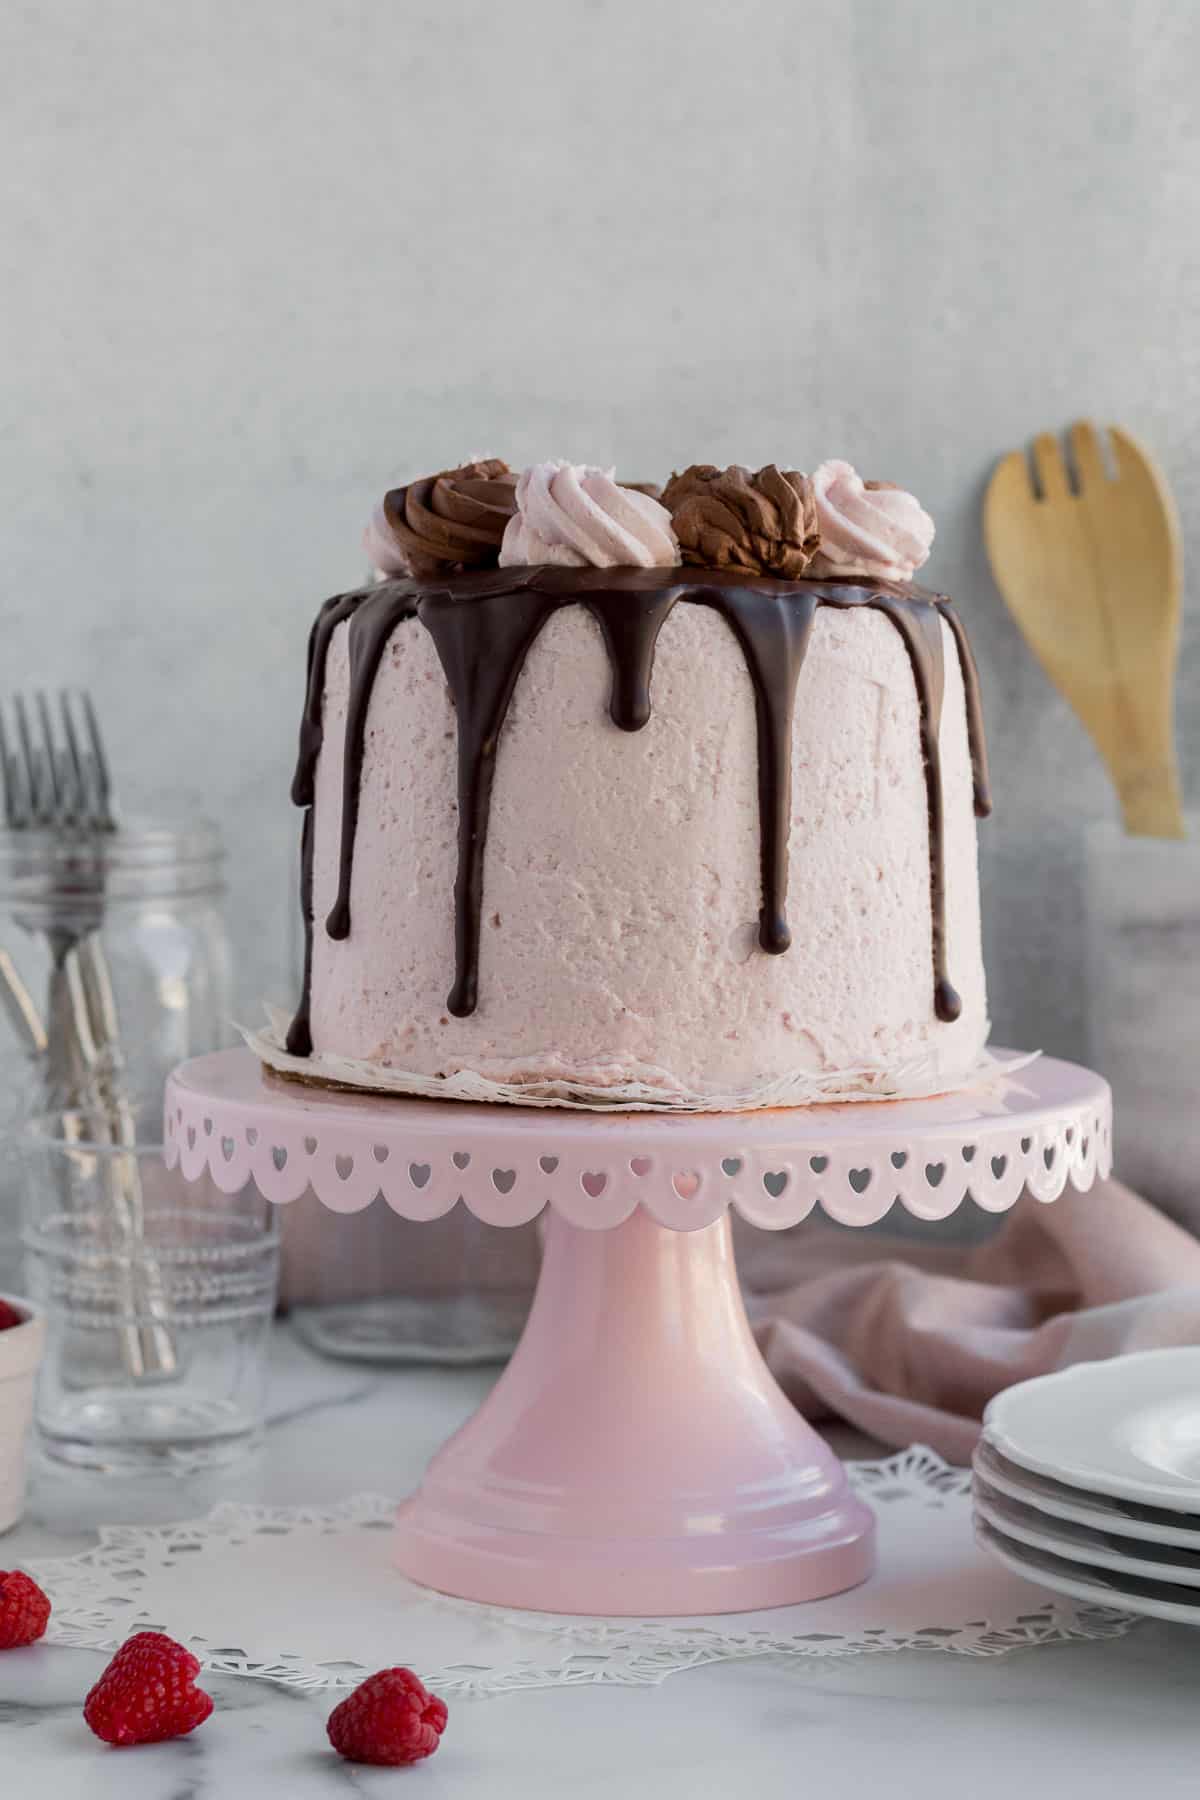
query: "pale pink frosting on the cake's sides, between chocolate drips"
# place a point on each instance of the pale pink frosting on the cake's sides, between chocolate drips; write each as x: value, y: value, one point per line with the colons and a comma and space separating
x: 622, y: 877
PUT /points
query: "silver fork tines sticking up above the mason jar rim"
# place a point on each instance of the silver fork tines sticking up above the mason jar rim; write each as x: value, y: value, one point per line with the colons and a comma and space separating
x: 53, y: 769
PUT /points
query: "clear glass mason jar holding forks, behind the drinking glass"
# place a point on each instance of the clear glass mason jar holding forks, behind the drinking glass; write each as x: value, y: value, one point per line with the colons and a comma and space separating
x: 120, y: 937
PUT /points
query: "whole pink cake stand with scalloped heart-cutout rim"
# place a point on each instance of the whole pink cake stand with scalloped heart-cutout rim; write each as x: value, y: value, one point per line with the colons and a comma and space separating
x: 636, y: 1457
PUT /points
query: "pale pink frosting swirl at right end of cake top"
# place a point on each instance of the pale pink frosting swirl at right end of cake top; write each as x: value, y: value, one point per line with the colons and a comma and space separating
x: 868, y: 526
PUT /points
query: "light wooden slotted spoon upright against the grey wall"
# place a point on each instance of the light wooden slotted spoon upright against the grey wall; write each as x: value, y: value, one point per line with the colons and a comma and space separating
x: 1091, y: 570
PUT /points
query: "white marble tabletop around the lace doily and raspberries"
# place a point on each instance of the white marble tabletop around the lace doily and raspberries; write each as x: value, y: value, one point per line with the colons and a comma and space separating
x: 1075, y: 1720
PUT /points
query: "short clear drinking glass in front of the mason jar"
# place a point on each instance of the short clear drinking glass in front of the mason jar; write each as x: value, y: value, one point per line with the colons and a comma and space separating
x: 159, y: 1300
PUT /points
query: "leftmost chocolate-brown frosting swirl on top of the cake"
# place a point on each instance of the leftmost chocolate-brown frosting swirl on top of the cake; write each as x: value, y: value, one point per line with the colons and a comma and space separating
x: 443, y: 523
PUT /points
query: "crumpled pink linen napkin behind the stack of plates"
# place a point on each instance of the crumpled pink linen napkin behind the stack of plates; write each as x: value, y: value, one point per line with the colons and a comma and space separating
x: 909, y: 1344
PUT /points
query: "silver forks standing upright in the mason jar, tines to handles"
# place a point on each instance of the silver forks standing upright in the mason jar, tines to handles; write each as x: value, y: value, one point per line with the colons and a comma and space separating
x: 58, y: 782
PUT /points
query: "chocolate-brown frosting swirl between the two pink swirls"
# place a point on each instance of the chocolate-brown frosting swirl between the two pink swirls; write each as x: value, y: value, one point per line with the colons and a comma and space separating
x: 744, y: 519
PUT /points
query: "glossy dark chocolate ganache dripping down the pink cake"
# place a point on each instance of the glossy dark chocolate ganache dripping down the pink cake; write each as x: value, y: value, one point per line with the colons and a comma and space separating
x: 485, y: 624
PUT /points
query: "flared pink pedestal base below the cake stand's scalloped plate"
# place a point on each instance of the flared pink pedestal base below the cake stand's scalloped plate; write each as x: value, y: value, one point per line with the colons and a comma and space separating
x: 638, y: 1455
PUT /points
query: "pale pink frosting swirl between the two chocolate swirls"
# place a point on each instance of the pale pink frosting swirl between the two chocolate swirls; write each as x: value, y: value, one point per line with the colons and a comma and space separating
x: 582, y: 517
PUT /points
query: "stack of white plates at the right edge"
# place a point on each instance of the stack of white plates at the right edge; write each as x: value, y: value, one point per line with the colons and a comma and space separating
x: 1089, y: 1482
